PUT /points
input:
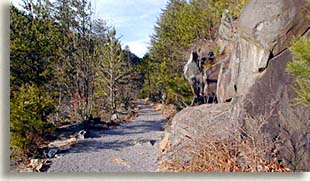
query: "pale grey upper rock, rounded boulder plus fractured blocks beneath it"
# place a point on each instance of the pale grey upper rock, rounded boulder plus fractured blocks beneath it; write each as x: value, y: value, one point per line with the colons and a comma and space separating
x: 265, y: 30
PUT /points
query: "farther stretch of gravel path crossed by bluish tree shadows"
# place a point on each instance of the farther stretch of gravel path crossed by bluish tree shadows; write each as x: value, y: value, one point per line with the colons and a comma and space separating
x: 142, y: 129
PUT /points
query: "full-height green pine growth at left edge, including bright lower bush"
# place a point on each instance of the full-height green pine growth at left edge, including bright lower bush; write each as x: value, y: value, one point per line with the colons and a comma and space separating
x: 33, y: 39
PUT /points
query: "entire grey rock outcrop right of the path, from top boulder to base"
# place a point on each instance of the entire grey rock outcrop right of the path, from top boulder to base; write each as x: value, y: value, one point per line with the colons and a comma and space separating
x: 253, y: 79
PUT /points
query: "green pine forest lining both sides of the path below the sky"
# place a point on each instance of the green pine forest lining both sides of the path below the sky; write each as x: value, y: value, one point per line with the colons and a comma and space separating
x: 67, y: 67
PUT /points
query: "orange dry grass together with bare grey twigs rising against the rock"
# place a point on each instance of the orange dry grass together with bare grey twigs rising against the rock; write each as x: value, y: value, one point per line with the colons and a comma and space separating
x: 246, y: 150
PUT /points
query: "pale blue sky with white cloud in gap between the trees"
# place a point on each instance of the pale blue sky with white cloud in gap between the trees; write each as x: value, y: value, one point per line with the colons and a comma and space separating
x: 134, y: 20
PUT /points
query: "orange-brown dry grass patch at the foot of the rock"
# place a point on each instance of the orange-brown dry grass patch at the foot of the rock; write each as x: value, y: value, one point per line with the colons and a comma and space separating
x: 216, y: 155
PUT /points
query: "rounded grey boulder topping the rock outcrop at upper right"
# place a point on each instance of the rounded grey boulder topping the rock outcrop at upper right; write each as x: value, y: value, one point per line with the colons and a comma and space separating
x: 270, y: 24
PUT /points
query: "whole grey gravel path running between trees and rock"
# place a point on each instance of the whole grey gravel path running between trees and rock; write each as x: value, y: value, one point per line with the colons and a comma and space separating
x: 132, y: 147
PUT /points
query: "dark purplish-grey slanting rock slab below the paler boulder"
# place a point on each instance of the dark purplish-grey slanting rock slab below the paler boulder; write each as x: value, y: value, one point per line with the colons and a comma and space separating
x: 270, y: 100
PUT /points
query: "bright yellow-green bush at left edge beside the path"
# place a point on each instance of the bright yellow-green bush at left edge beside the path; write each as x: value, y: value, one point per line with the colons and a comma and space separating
x: 30, y: 107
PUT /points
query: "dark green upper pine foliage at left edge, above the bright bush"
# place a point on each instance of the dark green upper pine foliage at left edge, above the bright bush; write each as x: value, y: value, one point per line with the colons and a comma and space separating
x: 31, y: 49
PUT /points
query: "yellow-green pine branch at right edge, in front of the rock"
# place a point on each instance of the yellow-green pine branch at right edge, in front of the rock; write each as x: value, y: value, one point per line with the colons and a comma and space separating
x: 300, y: 67
